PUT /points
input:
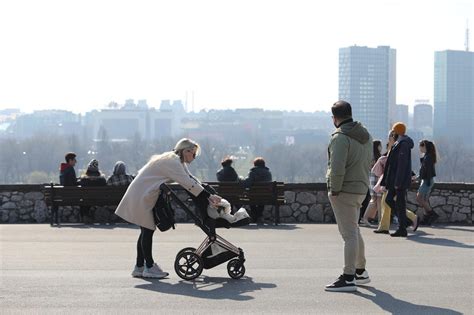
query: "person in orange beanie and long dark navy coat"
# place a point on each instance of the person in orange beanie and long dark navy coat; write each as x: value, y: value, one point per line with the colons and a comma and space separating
x: 397, y: 176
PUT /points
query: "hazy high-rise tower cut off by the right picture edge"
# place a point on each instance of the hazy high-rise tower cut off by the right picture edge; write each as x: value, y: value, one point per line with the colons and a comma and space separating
x: 454, y: 96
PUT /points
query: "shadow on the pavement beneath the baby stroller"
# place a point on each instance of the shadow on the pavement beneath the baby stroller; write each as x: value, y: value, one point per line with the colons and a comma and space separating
x: 214, y: 288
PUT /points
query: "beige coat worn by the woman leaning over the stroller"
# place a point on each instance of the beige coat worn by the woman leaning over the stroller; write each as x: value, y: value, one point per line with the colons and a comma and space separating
x: 140, y: 198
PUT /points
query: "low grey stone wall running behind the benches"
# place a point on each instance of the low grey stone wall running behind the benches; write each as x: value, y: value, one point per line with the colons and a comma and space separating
x: 305, y: 203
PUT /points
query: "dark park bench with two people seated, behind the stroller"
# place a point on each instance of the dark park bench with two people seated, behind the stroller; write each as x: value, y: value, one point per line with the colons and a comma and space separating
x: 270, y: 193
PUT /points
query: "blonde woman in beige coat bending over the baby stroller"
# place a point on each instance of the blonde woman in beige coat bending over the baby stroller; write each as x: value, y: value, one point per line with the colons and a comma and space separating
x: 140, y: 198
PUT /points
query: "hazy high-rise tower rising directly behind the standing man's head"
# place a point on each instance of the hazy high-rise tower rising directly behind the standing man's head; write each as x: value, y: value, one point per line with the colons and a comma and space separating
x: 367, y: 80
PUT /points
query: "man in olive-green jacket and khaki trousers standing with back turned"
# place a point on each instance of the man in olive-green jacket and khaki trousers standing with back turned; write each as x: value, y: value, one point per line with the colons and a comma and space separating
x: 349, y: 158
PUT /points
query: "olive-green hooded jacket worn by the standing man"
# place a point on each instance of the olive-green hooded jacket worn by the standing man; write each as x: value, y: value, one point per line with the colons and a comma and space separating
x: 349, y: 158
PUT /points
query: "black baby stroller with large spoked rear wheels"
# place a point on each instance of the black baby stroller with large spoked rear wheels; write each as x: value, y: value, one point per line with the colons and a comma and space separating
x: 213, y: 251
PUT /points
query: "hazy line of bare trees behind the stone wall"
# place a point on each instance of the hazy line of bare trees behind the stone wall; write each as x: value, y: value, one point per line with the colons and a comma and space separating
x: 36, y: 160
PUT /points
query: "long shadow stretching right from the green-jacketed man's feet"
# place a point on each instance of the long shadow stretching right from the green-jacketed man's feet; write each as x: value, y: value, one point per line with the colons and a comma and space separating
x: 391, y: 304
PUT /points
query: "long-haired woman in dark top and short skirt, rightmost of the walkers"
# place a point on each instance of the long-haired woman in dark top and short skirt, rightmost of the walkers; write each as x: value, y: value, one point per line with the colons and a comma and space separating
x: 427, y: 174
